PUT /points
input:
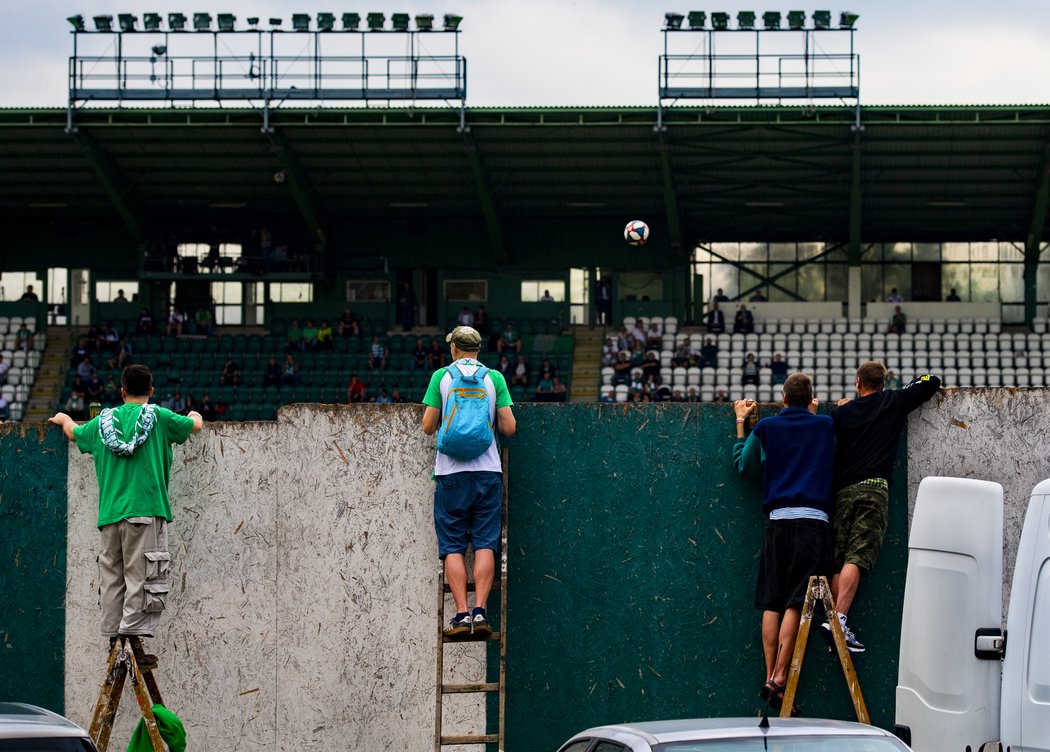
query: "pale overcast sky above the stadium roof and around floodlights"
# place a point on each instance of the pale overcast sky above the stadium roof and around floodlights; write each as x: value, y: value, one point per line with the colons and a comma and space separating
x: 560, y: 53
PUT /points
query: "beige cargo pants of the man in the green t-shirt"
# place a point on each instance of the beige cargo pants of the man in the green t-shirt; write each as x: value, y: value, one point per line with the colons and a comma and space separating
x: 134, y: 576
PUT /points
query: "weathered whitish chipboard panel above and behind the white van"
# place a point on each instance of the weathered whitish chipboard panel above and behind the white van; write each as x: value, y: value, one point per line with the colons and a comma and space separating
x: 1002, y: 435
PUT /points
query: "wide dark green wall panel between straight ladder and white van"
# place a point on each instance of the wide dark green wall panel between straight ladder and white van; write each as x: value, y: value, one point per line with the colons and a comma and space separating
x: 634, y: 553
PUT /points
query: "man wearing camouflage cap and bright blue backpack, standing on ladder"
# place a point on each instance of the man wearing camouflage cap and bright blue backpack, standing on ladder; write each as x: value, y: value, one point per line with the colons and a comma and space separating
x: 468, y: 403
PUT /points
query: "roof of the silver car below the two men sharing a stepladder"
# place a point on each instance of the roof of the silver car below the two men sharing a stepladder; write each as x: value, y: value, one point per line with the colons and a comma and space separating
x: 700, y: 729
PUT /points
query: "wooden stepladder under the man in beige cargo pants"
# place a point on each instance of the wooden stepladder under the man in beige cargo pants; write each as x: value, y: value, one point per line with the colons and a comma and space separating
x: 128, y: 661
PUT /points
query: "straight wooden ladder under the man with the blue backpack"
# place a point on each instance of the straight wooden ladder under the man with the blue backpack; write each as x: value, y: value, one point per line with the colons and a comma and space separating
x: 499, y: 586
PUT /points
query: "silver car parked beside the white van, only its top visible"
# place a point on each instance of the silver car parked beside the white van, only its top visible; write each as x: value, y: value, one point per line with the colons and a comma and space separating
x: 737, y: 736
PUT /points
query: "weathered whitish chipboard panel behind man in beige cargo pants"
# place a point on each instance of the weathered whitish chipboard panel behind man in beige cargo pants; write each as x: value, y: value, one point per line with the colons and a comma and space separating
x: 218, y: 639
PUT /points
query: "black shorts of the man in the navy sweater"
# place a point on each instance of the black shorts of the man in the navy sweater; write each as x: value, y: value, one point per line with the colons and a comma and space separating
x: 794, y: 551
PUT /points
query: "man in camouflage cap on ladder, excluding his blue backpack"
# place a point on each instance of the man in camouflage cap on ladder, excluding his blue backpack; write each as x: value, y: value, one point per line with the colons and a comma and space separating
x: 469, y: 494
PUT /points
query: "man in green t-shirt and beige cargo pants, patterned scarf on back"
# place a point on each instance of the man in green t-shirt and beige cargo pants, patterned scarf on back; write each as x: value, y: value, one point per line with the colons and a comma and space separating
x: 132, y: 449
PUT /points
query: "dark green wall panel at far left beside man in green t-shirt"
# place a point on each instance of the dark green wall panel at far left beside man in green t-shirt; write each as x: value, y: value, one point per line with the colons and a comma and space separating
x: 33, y: 565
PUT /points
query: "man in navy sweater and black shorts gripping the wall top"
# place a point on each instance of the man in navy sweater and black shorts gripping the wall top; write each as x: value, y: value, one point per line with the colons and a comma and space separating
x: 794, y: 453
